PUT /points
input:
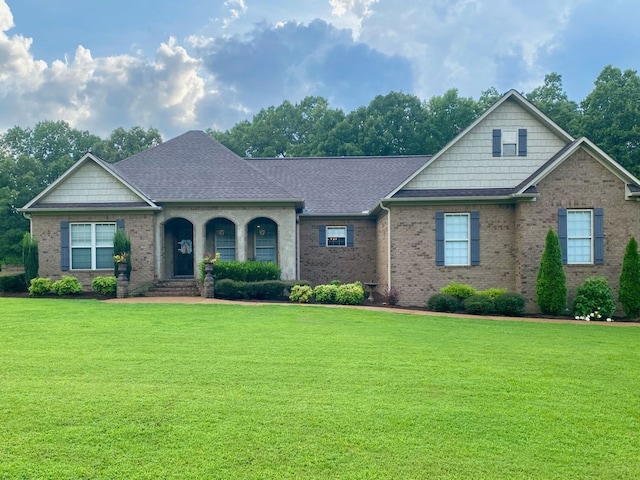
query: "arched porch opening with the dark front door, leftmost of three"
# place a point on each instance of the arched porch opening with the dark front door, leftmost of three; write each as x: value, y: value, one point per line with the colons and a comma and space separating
x: 178, y: 244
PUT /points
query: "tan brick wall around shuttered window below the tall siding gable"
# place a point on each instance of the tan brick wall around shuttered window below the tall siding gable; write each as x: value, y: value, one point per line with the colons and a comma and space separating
x: 414, y: 272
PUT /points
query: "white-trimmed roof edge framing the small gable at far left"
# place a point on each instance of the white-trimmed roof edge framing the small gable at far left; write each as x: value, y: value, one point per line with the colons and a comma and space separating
x: 38, y: 202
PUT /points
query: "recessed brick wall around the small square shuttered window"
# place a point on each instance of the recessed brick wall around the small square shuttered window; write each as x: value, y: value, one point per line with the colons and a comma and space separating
x: 347, y: 264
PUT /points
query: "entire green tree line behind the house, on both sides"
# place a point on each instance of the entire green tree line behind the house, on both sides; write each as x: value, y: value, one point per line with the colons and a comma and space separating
x: 393, y: 124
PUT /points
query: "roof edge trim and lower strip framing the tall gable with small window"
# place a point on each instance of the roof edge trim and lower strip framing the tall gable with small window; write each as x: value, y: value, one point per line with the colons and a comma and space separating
x: 510, y: 96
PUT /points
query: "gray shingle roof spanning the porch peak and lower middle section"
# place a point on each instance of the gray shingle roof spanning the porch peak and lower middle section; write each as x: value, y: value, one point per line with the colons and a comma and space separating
x: 196, y: 167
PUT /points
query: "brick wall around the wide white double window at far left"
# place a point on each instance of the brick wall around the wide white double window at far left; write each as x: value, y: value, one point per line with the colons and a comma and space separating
x: 139, y: 227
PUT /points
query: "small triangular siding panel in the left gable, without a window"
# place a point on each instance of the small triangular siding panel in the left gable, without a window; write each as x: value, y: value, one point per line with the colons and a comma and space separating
x: 90, y: 184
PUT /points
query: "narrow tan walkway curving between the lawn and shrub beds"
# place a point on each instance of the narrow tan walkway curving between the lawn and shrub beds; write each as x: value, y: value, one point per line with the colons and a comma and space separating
x: 249, y: 303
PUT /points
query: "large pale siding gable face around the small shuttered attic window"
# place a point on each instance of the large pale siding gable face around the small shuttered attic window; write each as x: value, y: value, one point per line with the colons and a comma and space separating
x: 469, y: 163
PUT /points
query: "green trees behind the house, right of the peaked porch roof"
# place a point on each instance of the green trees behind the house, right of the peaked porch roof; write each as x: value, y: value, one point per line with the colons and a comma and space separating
x: 402, y: 124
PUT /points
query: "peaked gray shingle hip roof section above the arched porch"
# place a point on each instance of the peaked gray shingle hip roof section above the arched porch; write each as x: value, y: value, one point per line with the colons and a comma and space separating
x: 195, y: 167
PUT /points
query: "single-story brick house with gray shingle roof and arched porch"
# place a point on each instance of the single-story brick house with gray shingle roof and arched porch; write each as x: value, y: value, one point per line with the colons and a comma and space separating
x: 477, y: 212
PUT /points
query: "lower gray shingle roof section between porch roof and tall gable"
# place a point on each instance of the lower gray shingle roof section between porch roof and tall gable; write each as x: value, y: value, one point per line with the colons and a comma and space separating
x: 340, y: 185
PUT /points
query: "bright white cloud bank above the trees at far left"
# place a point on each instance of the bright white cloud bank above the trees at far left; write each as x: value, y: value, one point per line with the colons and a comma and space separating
x: 98, y: 94
